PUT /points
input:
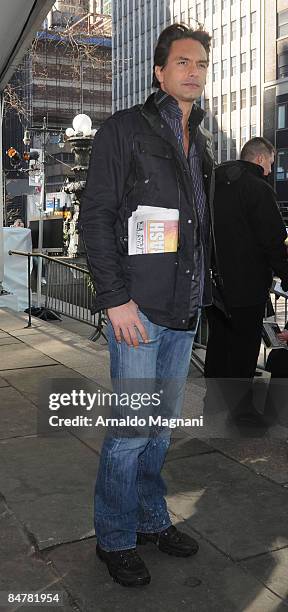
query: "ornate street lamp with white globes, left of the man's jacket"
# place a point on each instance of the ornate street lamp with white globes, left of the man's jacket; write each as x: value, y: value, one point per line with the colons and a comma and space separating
x: 80, y: 137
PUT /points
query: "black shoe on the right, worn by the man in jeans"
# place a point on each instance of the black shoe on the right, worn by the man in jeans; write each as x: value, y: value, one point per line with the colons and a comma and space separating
x: 171, y: 541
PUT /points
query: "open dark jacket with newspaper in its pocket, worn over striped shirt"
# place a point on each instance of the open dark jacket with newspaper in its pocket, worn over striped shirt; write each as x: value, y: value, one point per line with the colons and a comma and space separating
x: 136, y: 160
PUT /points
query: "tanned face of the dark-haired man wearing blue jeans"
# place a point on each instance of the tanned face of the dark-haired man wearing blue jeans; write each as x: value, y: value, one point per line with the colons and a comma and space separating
x: 184, y: 75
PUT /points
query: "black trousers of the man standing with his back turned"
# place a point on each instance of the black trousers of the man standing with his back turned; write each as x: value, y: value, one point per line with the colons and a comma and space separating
x: 231, y: 360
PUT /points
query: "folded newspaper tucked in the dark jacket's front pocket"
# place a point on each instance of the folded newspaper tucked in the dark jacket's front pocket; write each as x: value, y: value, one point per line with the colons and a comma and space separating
x: 153, y: 229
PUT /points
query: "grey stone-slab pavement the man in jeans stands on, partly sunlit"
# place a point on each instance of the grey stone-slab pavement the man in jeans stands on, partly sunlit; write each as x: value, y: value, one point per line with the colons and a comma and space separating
x: 231, y: 495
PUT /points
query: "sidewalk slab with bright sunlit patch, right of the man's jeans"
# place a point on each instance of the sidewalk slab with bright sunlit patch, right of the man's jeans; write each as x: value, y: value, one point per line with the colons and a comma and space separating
x: 241, y: 513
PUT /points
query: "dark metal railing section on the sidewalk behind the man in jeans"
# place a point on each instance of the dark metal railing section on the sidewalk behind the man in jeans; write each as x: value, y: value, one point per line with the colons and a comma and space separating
x: 66, y: 289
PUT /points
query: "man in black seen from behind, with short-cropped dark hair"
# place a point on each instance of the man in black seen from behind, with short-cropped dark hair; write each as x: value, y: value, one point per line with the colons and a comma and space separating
x: 250, y: 235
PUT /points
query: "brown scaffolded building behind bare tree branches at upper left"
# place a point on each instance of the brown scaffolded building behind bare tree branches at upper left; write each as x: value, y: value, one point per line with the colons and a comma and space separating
x: 71, y: 64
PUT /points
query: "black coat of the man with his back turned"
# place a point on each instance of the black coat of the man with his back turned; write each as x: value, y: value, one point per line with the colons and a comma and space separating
x: 249, y: 233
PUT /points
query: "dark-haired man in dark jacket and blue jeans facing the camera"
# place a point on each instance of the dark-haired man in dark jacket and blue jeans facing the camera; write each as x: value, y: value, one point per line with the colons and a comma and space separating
x: 153, y: 155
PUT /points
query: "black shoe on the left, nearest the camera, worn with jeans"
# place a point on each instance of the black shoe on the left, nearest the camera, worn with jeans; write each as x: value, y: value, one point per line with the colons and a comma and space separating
x: 125, y: 566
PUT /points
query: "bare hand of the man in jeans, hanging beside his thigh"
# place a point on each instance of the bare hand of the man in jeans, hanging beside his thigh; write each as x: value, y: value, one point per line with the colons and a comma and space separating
x: 125, y: 319
